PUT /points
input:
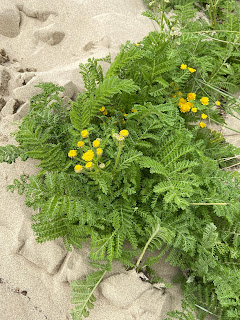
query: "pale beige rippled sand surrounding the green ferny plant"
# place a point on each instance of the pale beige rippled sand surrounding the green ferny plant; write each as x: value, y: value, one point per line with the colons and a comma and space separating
x: 45, y: 41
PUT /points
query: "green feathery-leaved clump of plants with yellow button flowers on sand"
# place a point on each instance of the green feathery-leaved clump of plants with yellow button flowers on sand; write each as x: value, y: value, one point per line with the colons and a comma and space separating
x: 134, y: 161
